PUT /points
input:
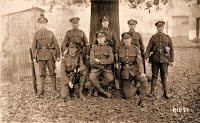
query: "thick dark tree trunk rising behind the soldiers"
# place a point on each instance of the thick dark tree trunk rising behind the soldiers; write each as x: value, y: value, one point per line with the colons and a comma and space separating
x: 100, y: 8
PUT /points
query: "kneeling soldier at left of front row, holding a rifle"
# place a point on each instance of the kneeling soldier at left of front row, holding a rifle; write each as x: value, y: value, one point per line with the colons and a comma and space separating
x: 69, y: 63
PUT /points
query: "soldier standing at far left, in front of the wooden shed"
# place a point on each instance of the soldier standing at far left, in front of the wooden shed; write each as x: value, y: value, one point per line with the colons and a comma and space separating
x: 46, y: 50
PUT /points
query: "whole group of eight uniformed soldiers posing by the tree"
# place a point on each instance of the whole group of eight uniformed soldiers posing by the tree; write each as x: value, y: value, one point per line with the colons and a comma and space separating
x: 105, y: 61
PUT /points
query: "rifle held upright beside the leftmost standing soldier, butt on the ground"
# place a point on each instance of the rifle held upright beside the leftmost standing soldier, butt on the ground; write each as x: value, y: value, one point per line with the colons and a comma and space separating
x: 33, y: 72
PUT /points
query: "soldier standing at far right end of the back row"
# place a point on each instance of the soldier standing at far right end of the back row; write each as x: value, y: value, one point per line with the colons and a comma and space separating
x: 161, y: 47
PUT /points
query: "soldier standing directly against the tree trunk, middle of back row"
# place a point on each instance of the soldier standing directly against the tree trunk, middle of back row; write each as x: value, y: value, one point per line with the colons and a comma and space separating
x: 111, y: 41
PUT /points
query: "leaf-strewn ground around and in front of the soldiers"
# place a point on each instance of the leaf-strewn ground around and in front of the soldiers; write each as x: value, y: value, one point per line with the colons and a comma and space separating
x: 19, y: 104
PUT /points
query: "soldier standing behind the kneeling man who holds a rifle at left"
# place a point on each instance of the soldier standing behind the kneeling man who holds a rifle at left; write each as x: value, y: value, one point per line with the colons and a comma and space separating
x: 78, y: 37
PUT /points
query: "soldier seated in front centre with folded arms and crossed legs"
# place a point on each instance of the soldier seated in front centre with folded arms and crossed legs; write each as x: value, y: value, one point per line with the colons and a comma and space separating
x: 101, y: 59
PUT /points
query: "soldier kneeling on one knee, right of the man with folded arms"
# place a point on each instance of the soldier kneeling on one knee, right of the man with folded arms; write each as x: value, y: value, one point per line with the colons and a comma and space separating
x: 131, y: 69
